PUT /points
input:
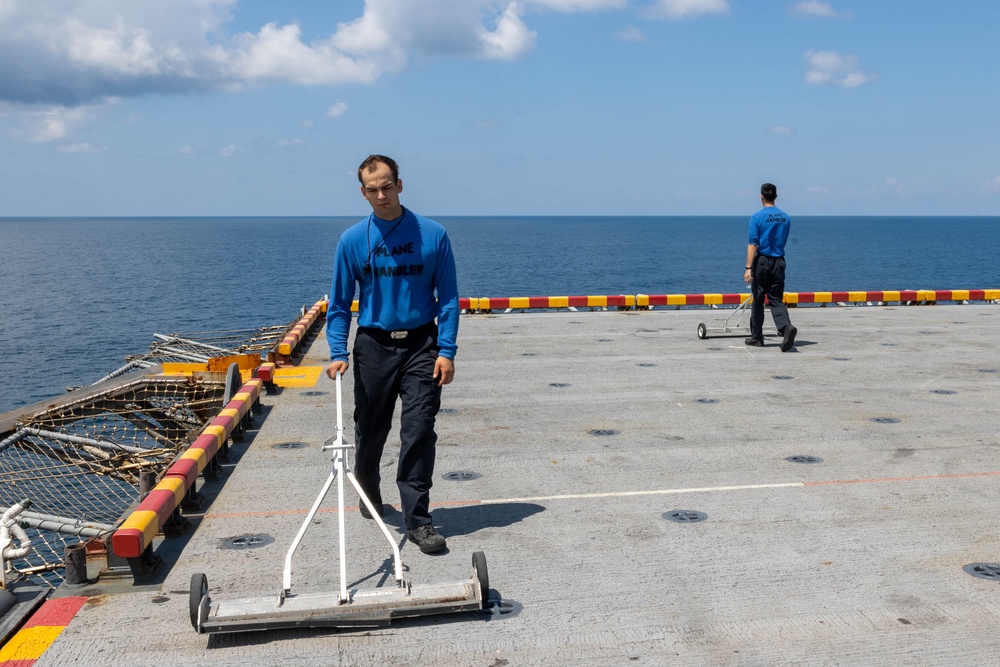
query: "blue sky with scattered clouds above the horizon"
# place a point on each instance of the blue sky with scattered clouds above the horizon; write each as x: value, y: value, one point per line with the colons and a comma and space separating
x: 523, y: 107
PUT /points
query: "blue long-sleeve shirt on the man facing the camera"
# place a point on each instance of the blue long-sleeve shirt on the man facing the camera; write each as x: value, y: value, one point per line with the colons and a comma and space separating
x: 411, y: 281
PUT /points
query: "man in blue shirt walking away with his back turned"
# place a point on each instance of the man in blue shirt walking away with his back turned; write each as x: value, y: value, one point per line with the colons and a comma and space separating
x: 765, y: 269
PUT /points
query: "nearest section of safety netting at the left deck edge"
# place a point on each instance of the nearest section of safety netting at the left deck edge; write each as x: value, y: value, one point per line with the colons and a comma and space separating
x: 79, y: 461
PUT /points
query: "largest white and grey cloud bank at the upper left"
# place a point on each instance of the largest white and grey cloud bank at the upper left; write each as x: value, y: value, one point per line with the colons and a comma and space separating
x: 73, y: 53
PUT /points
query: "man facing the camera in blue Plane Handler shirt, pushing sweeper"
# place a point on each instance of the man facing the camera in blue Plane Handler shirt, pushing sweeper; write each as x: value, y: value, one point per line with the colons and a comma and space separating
x: 405, y: 269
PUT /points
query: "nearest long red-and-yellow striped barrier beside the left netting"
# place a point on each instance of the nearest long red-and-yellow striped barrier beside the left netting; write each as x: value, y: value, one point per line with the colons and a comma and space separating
x: 138, y: 530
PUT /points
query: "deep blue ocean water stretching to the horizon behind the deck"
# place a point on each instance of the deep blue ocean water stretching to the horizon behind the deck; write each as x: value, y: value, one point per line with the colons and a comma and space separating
x: 78, y: 295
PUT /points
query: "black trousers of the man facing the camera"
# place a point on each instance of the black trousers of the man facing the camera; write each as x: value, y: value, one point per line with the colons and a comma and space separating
x: 384, y: 369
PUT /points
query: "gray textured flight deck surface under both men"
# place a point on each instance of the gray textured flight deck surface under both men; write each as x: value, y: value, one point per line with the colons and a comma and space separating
x: 583, y: 430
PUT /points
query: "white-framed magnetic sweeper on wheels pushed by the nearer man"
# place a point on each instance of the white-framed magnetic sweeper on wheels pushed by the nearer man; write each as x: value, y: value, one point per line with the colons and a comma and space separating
x: 353, y: 608
